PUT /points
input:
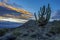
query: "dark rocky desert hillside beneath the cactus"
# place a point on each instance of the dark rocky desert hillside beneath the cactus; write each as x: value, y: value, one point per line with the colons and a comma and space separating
x: 31, y: 31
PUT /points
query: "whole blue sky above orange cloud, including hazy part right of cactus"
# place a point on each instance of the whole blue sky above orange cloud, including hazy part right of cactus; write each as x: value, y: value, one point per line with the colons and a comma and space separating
x: 34, y: 5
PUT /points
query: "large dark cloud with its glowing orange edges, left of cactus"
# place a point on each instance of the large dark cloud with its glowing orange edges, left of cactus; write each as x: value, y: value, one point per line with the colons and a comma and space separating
x: 6, y: 11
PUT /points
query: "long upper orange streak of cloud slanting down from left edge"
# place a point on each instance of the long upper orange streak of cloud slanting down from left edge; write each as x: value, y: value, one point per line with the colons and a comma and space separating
x: 16, y: 9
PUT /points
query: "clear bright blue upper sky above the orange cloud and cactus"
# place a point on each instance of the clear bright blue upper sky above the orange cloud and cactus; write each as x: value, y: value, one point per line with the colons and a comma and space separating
x: 34, y: 5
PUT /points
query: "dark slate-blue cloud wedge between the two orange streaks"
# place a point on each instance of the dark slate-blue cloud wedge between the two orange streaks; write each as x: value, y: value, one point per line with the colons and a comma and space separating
x: 4, y: 10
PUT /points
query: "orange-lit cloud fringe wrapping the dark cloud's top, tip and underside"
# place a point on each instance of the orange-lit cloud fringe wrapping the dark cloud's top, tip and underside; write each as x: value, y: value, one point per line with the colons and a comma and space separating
x: 25, y: 14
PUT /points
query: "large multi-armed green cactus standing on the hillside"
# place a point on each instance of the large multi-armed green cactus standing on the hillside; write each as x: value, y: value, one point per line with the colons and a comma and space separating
x: 43, y: 15
